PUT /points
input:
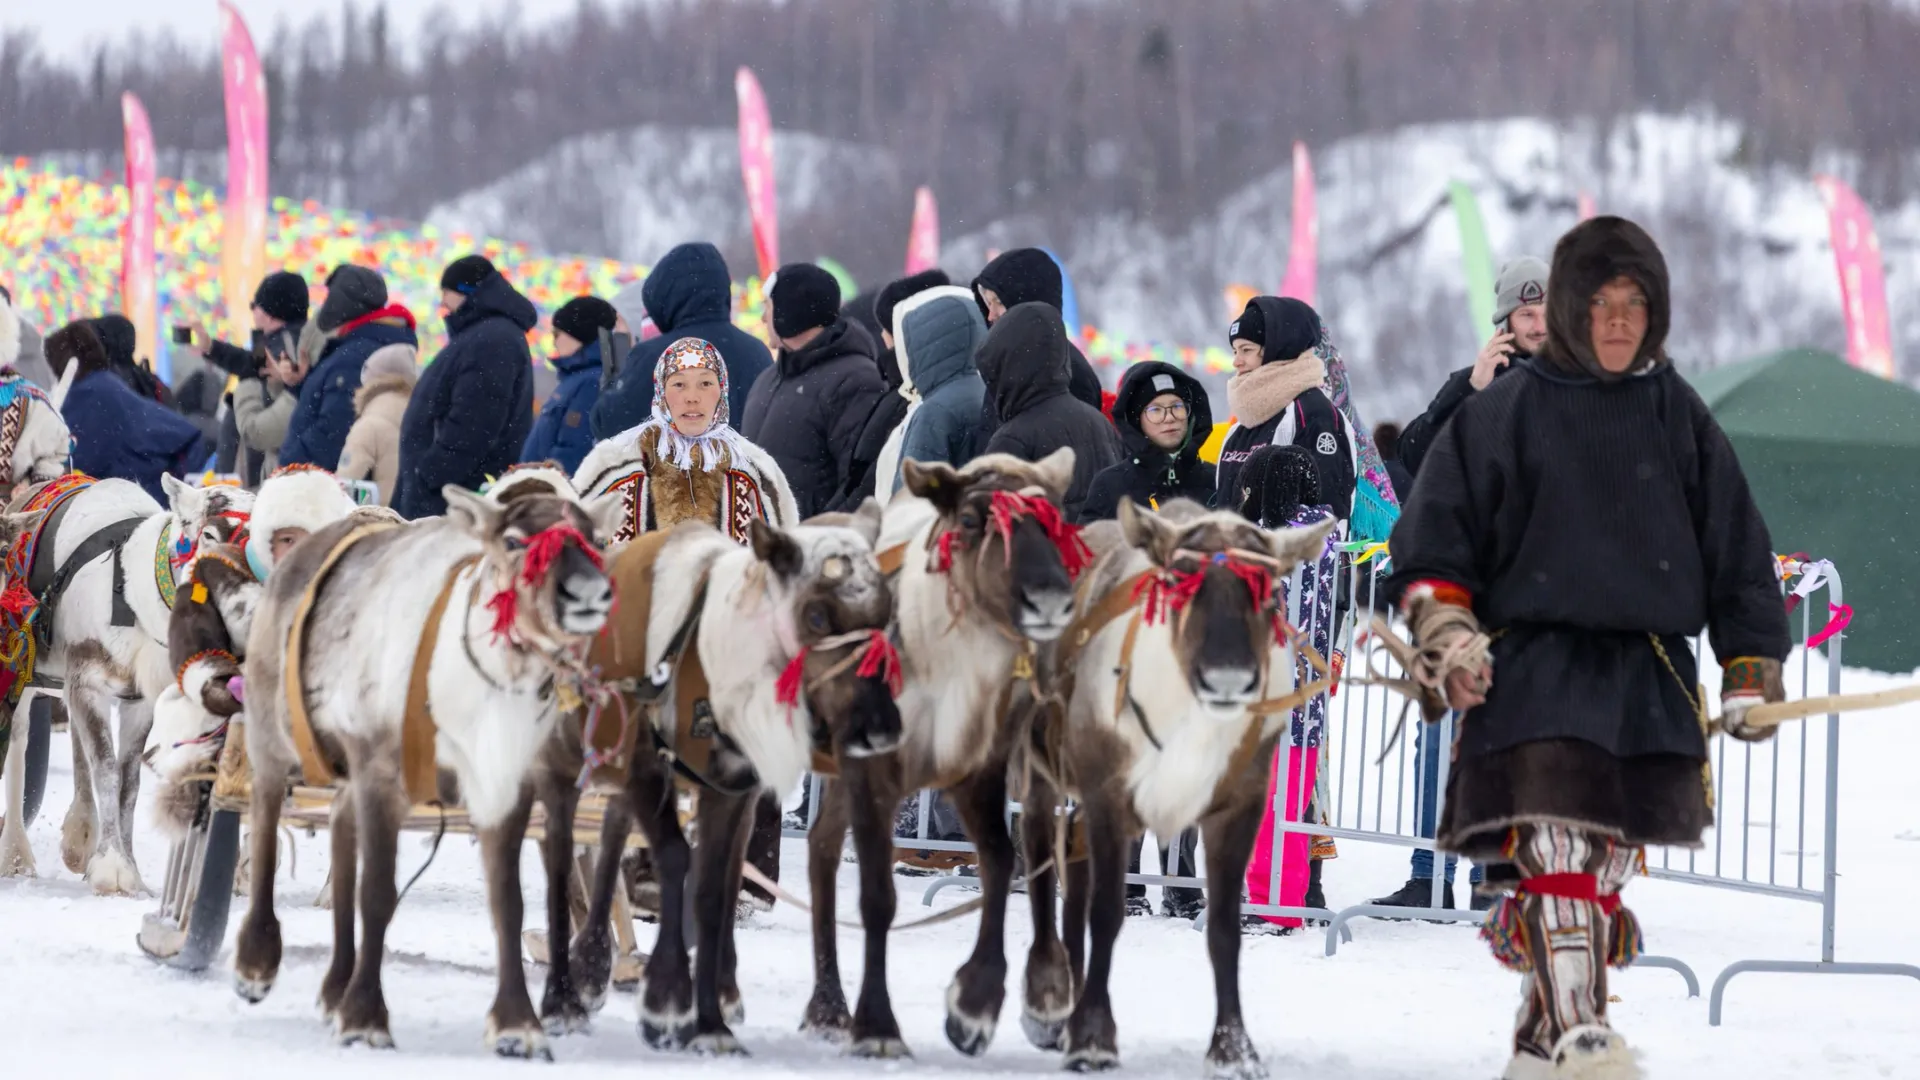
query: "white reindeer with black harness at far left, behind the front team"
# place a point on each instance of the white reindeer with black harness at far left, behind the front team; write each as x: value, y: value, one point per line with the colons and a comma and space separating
x: 103, y: 574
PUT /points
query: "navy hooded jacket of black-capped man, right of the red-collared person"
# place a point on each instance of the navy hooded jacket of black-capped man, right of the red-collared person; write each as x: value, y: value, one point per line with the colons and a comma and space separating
x: 475, y: 403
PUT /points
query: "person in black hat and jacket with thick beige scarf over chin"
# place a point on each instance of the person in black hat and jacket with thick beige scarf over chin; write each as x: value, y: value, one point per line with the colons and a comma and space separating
x: 1278, y: 397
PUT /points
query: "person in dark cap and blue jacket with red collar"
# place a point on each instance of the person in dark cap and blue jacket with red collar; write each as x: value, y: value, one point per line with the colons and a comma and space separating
x: 356, y: 322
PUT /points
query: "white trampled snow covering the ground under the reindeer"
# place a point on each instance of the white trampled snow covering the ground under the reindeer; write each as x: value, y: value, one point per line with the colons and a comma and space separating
x: 1397, y: 1004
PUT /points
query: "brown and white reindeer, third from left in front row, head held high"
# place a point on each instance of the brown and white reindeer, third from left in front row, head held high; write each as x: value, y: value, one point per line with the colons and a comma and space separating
x: 986, y: 576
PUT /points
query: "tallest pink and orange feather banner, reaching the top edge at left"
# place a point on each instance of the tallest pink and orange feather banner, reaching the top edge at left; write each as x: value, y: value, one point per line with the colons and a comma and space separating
x: 245, y: 228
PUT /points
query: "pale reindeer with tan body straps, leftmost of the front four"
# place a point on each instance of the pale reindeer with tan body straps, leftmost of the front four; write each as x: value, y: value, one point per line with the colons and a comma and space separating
x: 504, y: 601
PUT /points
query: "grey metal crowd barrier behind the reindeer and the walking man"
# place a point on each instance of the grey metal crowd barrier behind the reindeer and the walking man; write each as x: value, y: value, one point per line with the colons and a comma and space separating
x: 1370, y: 787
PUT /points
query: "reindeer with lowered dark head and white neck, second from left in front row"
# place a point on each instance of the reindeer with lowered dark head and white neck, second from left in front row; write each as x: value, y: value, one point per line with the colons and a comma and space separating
x: 784, y: 645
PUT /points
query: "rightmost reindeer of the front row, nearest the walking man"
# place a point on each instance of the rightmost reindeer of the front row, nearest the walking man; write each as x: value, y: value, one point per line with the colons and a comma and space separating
x: 1170, y: 668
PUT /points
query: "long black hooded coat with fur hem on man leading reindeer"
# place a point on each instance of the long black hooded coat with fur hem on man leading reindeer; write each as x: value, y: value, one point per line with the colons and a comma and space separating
x: 1595, y: 522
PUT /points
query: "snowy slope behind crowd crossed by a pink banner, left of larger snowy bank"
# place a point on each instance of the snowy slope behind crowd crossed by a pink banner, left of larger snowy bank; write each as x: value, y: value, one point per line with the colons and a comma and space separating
x: 635, y: 195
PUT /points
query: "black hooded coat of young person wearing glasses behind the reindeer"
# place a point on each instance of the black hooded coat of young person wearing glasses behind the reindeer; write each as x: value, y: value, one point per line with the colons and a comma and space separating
x: 1151, y: 476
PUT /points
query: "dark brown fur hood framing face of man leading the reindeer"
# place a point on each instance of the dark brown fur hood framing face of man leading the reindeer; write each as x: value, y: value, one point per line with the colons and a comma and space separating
x: 1587, y: 258
